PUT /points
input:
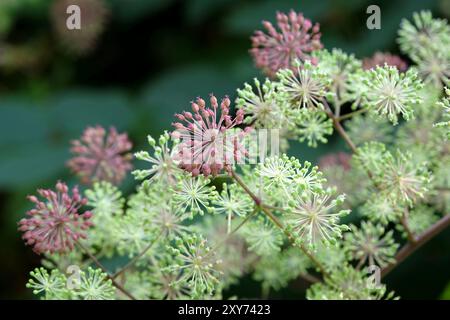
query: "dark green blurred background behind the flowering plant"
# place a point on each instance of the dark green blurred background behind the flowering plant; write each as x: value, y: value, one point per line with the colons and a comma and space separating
x: 140, y: 62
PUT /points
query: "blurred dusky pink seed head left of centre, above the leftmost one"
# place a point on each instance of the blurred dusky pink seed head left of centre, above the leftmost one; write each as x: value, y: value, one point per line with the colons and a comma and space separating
x: 101, y: 156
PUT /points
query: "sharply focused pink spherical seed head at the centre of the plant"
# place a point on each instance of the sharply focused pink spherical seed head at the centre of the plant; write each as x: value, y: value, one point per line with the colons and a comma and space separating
x: 210, y: 143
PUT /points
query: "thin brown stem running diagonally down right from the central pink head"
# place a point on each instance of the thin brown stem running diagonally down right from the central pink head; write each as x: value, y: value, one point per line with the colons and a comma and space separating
x: 277, y: 222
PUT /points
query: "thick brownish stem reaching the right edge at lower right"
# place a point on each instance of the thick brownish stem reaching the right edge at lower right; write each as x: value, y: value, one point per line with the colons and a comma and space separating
x: 410, y: 247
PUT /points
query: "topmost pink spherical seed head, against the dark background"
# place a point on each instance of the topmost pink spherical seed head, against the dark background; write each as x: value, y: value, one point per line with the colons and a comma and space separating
x: 276, y: 49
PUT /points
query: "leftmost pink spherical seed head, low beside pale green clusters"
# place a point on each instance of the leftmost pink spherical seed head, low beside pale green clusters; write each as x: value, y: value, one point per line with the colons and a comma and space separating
x: 55, y: 224
